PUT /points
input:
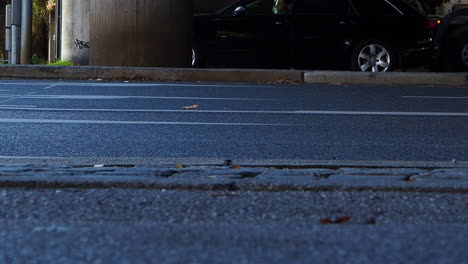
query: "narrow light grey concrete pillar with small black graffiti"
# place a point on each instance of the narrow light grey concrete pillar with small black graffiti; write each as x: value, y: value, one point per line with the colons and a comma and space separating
x: 75, y: 31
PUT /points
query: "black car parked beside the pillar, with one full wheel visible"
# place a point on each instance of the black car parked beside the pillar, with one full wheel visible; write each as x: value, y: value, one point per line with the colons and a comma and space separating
x: 363, y: 35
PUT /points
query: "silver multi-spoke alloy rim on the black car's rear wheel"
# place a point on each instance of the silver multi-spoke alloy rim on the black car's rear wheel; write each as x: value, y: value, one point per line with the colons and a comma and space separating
x: 374, y: 58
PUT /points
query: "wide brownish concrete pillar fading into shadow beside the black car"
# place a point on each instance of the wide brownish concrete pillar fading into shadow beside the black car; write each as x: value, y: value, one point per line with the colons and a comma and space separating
x: 142, y: 33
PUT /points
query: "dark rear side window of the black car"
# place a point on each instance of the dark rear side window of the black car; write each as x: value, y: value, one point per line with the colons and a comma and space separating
x: 321, y: 6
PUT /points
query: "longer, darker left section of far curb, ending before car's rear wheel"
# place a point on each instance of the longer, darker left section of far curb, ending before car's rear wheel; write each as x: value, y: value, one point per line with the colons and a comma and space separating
x: 150, y: 74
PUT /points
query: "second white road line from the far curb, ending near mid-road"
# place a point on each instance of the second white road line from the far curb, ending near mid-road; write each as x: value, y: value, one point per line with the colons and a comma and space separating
x: 116, y: 97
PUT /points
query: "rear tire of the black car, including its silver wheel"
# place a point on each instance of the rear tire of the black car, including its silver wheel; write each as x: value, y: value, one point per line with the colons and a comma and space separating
x: 373, y: 55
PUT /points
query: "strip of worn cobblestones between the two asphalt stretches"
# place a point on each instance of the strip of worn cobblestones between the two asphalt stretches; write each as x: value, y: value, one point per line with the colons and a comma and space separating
x: 234, y: 178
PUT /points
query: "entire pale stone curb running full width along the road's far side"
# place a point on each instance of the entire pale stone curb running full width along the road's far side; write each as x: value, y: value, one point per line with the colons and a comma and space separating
x: 231, y: 75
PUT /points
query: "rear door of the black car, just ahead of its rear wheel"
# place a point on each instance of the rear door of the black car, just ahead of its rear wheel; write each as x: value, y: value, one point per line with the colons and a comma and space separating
x: 321, y: 33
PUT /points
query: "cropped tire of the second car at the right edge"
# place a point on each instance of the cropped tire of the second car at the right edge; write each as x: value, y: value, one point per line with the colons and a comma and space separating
x: 456, y: 54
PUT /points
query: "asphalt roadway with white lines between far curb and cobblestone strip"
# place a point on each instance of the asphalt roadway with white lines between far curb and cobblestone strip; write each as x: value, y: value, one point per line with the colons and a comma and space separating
x: 77, y: 119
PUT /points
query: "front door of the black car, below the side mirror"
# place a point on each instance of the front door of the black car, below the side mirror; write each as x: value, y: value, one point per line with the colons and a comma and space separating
x: 253, y: 34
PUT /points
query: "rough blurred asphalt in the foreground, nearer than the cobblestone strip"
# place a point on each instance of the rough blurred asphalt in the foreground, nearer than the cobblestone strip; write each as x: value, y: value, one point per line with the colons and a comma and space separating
x: 158, y: 226
